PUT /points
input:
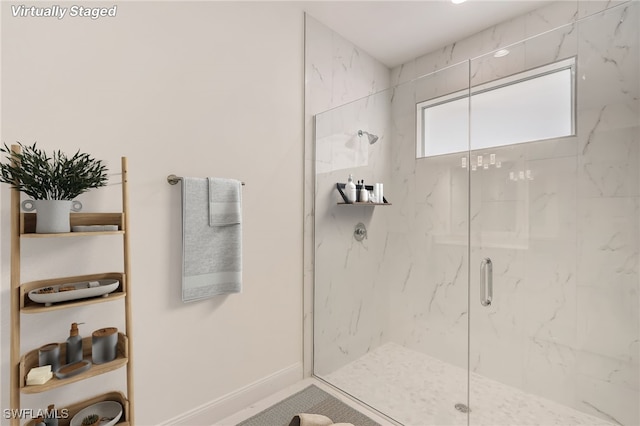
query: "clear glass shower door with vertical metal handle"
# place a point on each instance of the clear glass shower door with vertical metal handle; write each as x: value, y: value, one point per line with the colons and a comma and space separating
x: 554, y: 230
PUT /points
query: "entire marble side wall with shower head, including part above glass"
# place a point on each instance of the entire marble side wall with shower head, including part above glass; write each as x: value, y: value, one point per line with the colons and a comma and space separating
x: 338, y: 73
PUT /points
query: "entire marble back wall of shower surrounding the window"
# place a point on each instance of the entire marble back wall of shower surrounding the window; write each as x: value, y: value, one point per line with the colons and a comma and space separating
x: 565, y: 319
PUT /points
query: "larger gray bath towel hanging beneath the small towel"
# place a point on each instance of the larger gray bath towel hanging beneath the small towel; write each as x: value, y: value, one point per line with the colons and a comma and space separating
x: 211, y: 255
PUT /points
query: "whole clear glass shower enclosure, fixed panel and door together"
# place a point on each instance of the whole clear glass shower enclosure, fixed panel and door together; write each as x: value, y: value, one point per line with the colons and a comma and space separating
x: 499, y: 285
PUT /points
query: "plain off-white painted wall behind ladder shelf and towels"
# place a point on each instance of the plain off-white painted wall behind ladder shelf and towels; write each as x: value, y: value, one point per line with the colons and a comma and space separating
x: 195, y: 89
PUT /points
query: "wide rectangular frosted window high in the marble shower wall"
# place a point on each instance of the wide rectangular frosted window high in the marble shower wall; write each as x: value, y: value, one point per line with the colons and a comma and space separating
x: 534, y: 105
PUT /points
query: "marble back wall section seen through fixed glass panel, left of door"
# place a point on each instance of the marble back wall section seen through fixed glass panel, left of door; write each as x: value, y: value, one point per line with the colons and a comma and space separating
x: 427, y: 247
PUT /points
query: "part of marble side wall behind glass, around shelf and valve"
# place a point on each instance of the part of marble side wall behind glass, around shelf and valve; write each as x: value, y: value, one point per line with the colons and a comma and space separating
x: 351, y: 296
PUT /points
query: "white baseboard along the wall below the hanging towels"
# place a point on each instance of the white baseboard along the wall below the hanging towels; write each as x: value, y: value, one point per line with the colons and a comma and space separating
x: 220, y: 408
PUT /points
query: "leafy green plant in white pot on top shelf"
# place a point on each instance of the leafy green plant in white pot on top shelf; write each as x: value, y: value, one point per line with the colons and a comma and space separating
x: 51, y: 181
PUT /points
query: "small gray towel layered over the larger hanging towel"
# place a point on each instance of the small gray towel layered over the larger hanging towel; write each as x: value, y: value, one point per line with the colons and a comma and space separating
x: 225, y: 198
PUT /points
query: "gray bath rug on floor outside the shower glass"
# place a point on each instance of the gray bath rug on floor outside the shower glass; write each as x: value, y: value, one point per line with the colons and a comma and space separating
x: 310, y: 400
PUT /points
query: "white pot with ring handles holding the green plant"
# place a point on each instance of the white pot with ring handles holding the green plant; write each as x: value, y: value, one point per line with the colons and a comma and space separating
x: 52, y: 216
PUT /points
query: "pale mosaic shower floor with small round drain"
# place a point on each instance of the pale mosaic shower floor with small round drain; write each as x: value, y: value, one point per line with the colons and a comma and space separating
x: 418, y: 390
